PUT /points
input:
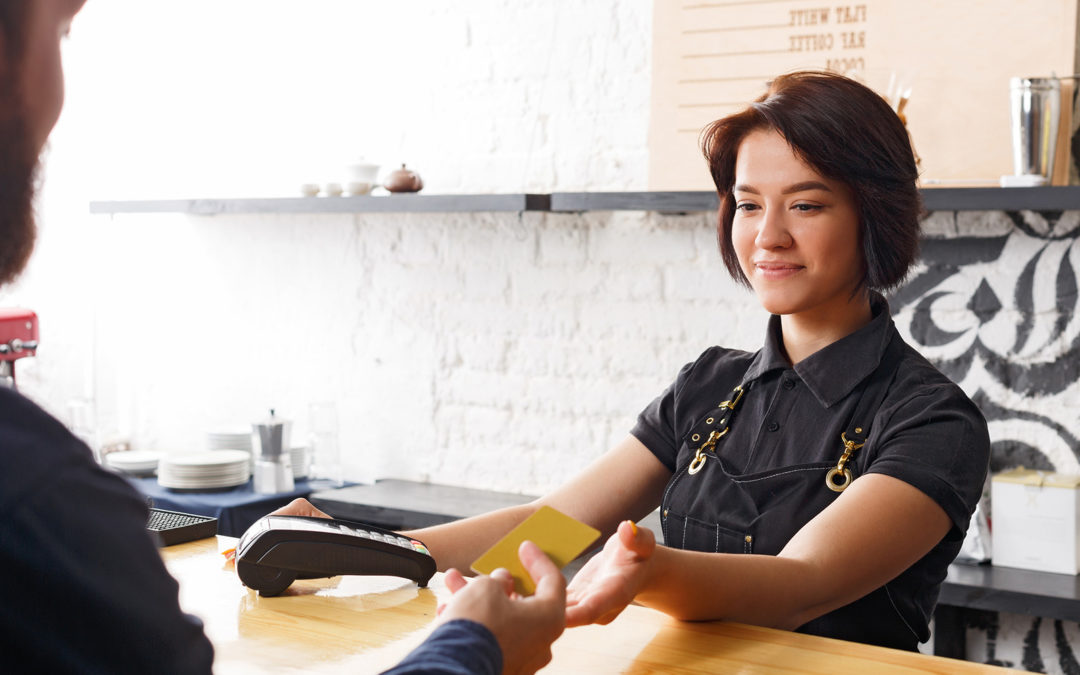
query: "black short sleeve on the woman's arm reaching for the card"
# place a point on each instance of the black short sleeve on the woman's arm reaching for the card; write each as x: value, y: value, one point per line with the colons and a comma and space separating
x: 938, y: 442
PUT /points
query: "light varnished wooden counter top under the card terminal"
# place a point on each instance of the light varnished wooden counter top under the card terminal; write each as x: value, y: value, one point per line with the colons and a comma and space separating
x: 364, y: 625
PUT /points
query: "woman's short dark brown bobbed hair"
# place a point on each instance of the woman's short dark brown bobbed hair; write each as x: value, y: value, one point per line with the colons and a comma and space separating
x: 848, y: 133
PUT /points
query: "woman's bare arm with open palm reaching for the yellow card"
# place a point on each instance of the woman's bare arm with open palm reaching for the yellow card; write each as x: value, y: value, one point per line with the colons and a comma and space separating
x: 876, y: 530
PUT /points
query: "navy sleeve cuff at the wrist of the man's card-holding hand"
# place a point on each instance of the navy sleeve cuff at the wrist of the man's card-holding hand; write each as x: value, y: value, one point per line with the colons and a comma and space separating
x: 458, y: 647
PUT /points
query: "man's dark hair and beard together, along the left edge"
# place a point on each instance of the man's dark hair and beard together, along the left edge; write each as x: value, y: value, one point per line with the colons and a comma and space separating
x: 18, y: 155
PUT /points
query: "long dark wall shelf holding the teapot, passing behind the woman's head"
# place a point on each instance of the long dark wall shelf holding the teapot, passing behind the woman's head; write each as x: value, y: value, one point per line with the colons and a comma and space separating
x: 935, y: 199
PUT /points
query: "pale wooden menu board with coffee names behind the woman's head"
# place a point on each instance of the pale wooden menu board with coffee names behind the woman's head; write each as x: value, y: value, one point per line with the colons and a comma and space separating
x: 954, y: 57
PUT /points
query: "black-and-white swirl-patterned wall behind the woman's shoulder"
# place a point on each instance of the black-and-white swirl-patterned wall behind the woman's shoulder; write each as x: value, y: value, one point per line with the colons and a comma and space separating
x: 994, y: 304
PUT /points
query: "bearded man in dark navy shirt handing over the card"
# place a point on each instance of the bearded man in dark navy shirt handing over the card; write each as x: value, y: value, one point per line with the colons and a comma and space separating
x: 84, y: 587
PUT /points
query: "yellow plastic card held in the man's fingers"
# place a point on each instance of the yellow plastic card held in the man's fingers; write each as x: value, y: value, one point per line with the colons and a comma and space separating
x: 558, y: 535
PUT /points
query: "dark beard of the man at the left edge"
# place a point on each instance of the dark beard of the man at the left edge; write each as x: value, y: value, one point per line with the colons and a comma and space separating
x: 19, y: 169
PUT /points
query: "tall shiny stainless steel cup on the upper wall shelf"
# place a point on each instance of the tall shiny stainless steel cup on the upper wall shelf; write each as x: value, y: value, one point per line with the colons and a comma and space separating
x: 1036, y: 111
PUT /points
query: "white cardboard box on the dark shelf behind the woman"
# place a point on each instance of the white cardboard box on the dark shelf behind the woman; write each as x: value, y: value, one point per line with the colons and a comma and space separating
x: 1035, y: 520
